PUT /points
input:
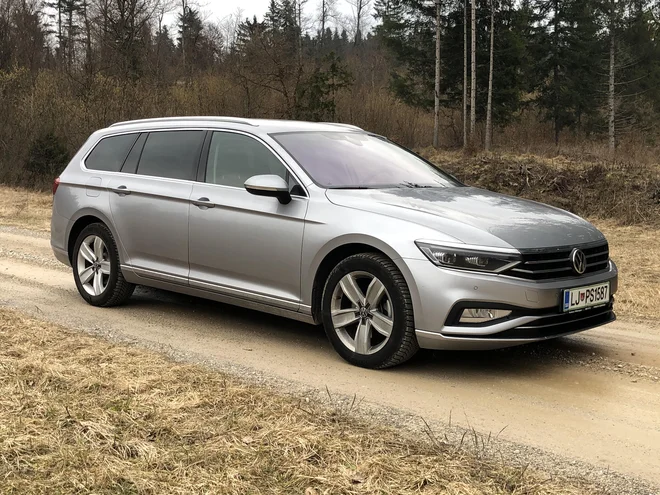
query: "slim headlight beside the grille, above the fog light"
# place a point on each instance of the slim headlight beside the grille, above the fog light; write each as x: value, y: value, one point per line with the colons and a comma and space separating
x: 469, y: 258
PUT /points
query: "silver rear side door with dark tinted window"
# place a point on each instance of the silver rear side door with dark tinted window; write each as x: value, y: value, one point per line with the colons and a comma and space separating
x: 150, y: 207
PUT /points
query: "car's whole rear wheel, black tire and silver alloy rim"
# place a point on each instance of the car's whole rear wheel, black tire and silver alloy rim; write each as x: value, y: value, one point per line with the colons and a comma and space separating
x: 96, y: 268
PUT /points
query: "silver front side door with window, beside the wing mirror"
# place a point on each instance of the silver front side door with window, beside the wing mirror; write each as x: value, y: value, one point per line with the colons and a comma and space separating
x: 240, y: 244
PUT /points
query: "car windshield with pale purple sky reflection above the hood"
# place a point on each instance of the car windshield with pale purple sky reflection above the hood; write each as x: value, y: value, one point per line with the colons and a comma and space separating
x: 354, y: 160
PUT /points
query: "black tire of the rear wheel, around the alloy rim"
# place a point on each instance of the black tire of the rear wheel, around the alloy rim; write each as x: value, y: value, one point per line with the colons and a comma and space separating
x: 117, y: 290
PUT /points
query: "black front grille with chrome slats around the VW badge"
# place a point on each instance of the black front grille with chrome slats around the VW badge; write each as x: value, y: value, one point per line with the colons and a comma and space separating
x: 557, y: 263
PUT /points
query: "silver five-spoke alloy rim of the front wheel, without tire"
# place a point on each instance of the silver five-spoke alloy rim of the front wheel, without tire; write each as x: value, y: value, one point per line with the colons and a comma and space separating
x: 362, y: 312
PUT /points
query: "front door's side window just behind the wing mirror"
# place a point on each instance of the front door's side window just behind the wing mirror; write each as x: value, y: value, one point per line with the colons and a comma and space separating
x: 234, y: 158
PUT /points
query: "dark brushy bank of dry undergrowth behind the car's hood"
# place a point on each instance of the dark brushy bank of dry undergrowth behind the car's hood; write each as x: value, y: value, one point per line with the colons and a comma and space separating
x: 592, y: 189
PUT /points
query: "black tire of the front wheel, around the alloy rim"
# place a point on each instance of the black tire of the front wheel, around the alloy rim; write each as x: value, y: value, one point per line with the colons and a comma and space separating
x: 402, y: 344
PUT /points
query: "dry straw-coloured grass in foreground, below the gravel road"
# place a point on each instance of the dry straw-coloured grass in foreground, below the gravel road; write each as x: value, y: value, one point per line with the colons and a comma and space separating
x: 79, y: 415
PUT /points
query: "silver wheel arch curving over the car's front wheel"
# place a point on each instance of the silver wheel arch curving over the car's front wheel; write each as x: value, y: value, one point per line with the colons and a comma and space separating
x: 341, y: 249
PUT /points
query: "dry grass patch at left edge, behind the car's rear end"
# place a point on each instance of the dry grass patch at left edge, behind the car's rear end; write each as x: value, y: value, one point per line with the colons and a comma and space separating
x: 25, y: 208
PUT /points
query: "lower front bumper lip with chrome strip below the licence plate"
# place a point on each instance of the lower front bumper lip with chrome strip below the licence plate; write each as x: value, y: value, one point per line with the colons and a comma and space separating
x: 536, y: 327
